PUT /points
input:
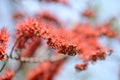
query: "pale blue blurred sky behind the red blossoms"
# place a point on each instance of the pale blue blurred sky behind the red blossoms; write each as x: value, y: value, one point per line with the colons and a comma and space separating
x: 68, y: 13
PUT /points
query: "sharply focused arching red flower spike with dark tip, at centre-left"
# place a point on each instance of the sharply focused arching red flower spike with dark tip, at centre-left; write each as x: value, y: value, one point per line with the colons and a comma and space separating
x: 55, y: 39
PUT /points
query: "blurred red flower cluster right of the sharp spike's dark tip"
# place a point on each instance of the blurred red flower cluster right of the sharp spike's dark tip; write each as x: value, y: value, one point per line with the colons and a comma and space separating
x: 89, y: 48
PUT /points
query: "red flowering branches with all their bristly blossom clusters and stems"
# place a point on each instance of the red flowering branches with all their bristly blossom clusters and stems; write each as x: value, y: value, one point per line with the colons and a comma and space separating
x: 45, y: 30
